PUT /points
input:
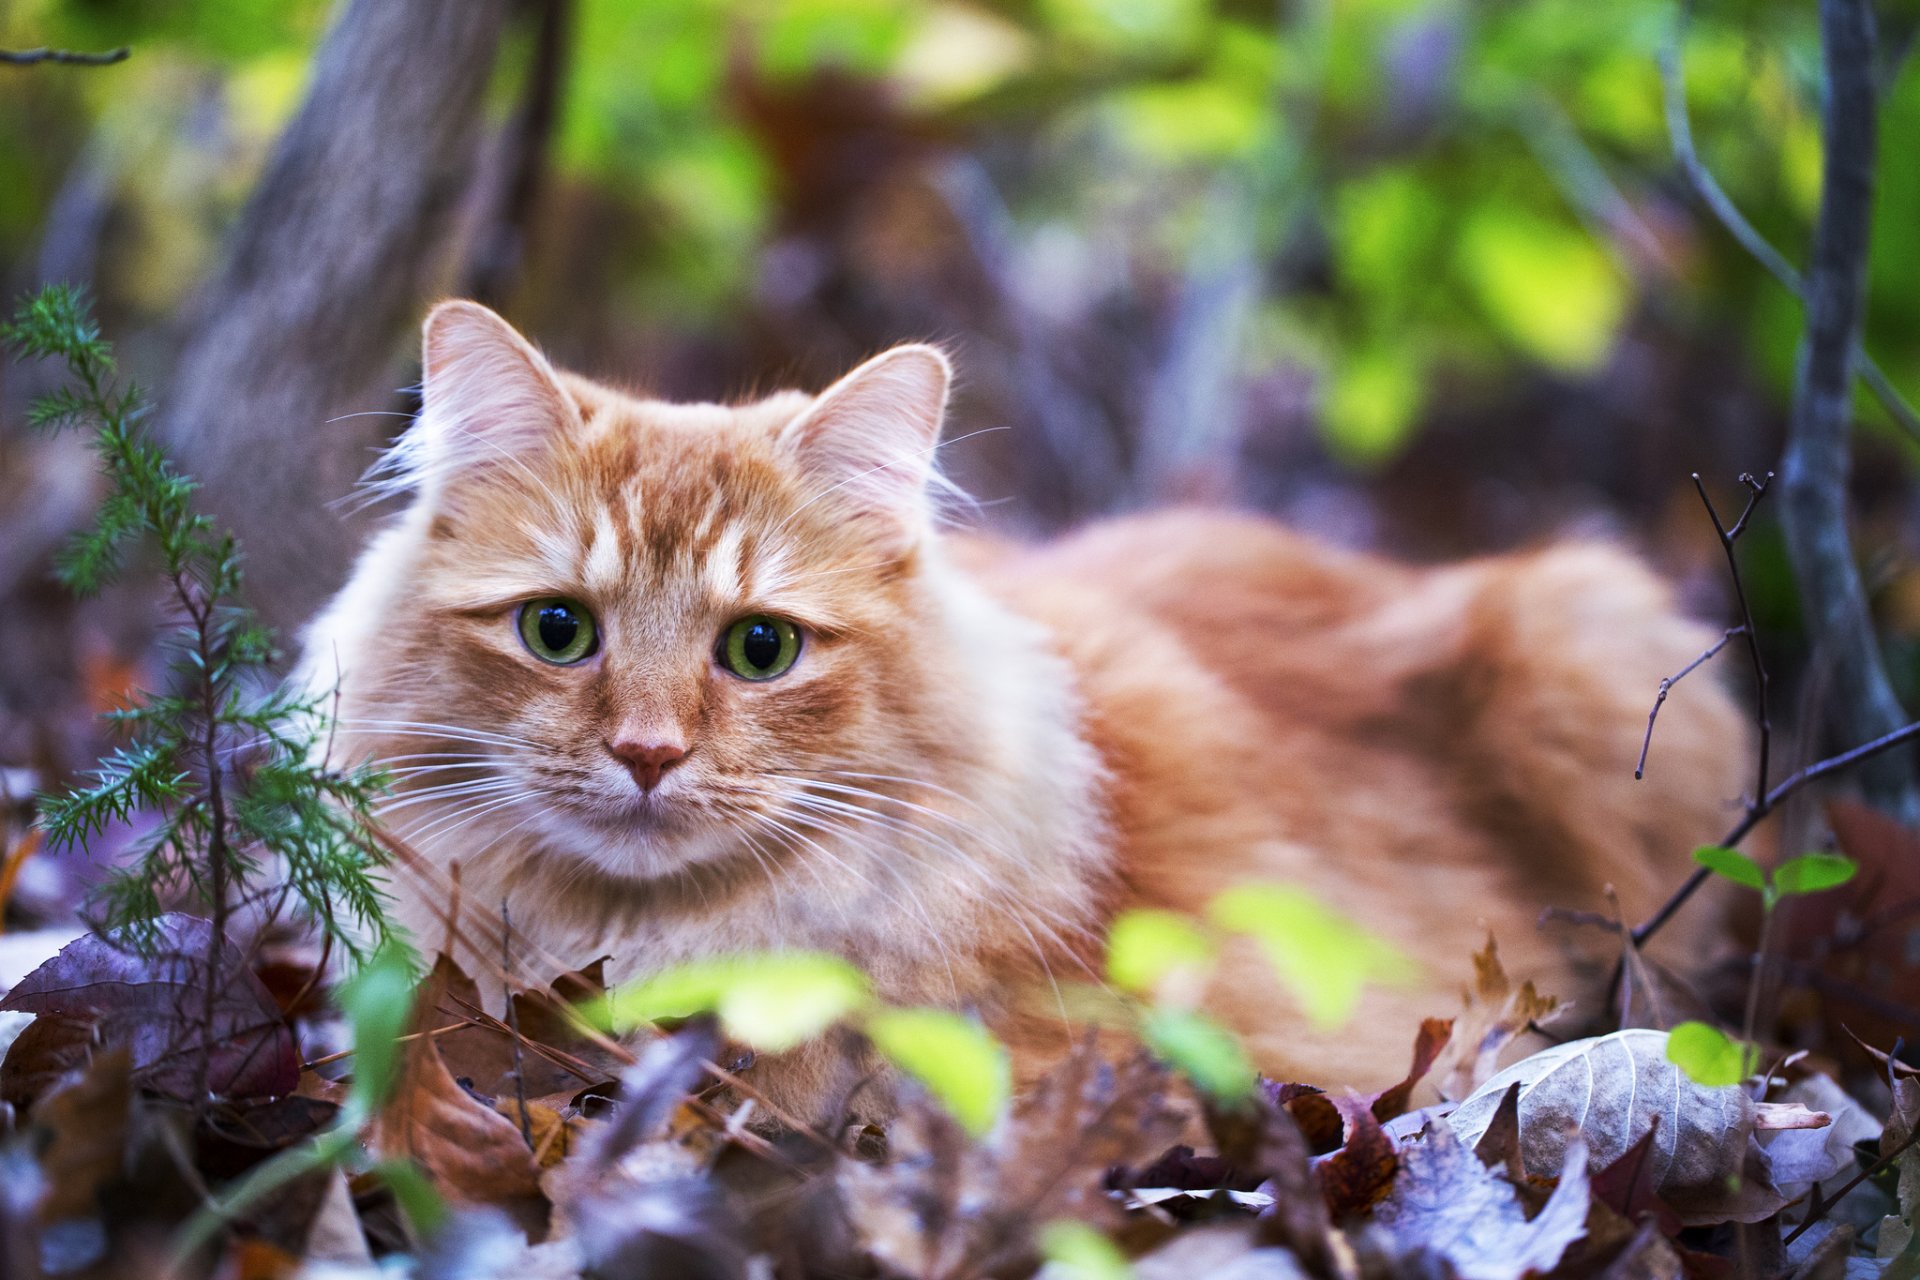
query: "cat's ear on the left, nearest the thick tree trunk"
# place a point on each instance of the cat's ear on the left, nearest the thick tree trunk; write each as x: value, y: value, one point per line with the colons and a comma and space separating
x: 489, y: 402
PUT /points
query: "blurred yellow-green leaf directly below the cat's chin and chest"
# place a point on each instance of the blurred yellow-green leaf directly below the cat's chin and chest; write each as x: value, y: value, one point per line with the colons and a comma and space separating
x: 769, y: 1001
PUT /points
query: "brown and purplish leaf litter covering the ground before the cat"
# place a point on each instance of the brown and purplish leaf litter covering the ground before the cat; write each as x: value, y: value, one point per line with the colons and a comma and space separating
x: 517, y: 1143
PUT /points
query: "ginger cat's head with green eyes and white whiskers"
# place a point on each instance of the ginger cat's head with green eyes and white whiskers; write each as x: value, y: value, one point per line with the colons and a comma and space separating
x: 646, y: 634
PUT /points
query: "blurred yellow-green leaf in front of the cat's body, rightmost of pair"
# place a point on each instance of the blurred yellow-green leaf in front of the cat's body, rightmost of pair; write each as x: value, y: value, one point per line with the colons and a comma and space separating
x: 1324, y: 959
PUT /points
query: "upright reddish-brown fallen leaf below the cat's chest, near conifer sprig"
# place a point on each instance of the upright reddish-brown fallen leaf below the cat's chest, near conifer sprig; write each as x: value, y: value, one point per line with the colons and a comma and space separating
x: 469, y: 1150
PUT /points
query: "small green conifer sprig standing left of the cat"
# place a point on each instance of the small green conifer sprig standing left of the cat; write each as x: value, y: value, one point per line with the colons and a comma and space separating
x: 231, y: 767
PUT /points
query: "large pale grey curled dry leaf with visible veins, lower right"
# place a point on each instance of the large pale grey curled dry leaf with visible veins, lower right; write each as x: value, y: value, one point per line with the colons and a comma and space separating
x: 1612, y: 1091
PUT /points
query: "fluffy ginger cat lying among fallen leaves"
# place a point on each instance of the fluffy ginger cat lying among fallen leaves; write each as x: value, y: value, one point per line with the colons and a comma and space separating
x: 677, y: 680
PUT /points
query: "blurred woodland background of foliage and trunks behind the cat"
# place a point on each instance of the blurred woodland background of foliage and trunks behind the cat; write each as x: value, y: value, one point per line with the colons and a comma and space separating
x: 1418, y: 275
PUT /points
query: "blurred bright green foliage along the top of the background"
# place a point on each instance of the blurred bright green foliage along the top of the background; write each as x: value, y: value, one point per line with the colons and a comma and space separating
x: 1491, y: 181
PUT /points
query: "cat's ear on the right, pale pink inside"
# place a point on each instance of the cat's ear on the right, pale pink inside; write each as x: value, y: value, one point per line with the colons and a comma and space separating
x: 869, y: 440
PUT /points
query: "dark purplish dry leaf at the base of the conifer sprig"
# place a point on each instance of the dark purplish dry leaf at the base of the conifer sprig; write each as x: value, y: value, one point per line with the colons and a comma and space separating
x: 153, y: 1003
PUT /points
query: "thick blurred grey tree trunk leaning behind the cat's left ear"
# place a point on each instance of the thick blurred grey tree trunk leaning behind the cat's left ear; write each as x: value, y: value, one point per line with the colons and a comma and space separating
x: 329, y: 264
